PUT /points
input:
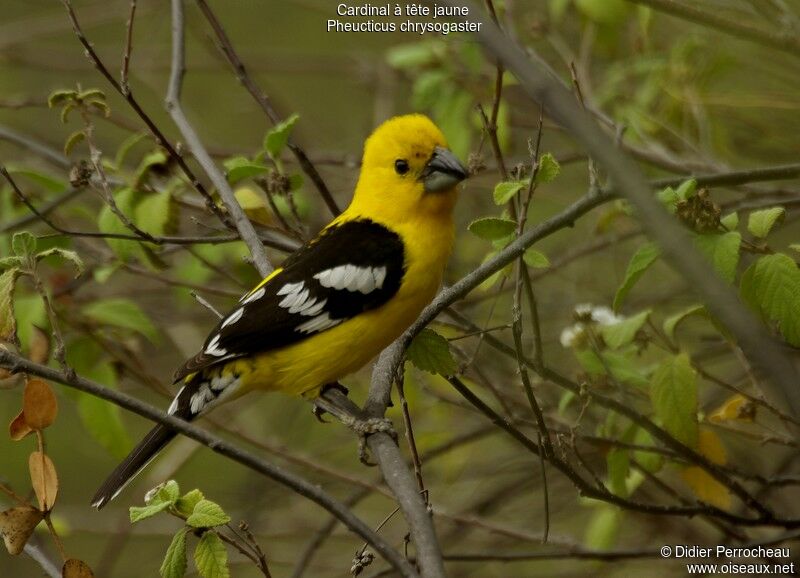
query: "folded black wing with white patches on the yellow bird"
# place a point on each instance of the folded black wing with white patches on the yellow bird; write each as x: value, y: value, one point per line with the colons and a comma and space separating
x: 350, y: 268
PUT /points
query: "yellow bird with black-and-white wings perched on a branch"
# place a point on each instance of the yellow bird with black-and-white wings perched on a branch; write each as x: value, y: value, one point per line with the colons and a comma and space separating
x: 338, y: 300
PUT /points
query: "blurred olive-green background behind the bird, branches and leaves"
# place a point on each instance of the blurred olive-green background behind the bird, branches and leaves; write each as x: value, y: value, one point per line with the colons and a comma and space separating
x: 681, y: 97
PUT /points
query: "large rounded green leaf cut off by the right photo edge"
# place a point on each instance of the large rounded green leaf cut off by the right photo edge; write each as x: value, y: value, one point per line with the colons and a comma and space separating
x: 772, y: 286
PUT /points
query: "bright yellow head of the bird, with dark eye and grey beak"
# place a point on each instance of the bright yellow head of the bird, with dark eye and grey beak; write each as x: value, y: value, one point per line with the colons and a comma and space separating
x: 407, y: 173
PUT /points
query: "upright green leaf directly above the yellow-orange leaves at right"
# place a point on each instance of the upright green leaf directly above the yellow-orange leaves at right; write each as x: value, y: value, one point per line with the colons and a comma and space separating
x: 674, y: 397
